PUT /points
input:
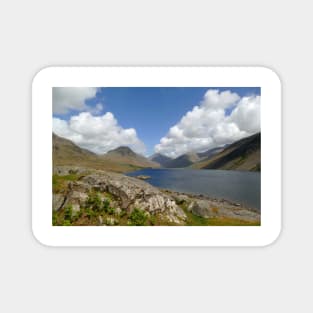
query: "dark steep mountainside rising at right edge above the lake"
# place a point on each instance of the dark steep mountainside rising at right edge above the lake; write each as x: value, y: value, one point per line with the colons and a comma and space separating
x: 244, y: 154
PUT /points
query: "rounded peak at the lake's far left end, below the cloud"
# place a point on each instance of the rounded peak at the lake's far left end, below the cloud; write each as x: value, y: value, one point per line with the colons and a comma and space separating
x: 125, y: 155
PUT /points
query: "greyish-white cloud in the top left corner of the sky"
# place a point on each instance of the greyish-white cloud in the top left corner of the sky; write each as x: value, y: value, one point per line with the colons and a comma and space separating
x: 65, y: 99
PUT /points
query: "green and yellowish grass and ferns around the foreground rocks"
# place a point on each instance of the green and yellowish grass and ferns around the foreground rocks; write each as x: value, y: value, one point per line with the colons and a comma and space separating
x: 101, y: 208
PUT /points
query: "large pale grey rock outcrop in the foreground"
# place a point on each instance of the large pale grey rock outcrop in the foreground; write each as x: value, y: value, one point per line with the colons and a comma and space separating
x: 130, y: 193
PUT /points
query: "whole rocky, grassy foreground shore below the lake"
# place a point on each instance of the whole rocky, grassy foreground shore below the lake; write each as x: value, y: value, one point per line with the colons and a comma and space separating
x: 77, y: 187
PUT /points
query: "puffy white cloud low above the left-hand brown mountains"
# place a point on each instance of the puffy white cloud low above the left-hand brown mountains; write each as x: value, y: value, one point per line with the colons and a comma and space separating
x: 97, y: 133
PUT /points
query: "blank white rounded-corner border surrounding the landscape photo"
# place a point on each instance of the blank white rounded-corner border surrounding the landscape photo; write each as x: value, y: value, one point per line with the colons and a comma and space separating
x: 262, y: 77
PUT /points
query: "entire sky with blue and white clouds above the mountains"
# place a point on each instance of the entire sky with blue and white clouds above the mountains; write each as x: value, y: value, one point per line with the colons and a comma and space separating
x: 167, y: 120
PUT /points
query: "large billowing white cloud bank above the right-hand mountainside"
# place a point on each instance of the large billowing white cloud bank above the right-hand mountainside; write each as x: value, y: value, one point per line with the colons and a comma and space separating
x: 207, y: 125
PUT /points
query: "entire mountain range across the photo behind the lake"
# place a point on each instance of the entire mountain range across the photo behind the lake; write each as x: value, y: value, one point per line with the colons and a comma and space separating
x: 240, y: 155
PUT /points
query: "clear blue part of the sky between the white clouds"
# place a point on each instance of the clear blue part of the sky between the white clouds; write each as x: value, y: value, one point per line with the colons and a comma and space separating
x: 152, y: 111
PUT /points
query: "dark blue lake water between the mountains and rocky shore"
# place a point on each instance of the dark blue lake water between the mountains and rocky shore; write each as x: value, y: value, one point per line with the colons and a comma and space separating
x: 237, y: 186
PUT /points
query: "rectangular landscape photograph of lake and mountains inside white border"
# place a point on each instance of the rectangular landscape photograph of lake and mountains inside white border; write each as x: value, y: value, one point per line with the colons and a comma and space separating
x: 156, y: 156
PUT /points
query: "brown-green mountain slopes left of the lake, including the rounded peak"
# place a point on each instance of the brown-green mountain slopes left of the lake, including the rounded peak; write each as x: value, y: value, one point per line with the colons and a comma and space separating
x: 123, y: 159
